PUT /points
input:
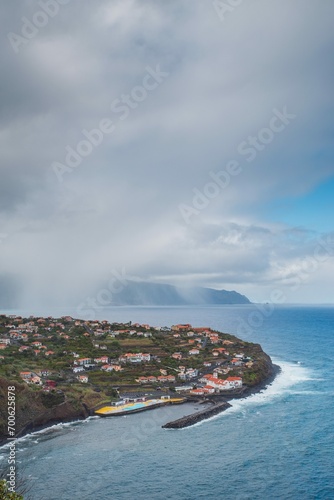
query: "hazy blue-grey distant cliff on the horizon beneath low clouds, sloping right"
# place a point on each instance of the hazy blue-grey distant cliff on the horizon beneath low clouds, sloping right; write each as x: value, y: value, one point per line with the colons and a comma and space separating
x: 157, y: 294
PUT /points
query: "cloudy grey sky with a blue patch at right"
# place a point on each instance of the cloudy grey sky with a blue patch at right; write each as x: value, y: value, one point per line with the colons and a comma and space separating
x: 214, y: 165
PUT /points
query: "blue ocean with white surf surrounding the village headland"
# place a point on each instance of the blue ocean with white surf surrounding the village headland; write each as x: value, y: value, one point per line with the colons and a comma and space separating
x: 277, y: 444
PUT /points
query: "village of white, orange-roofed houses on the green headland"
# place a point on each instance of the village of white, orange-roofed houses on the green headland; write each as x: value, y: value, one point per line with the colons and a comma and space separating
x: 55, y: 355
